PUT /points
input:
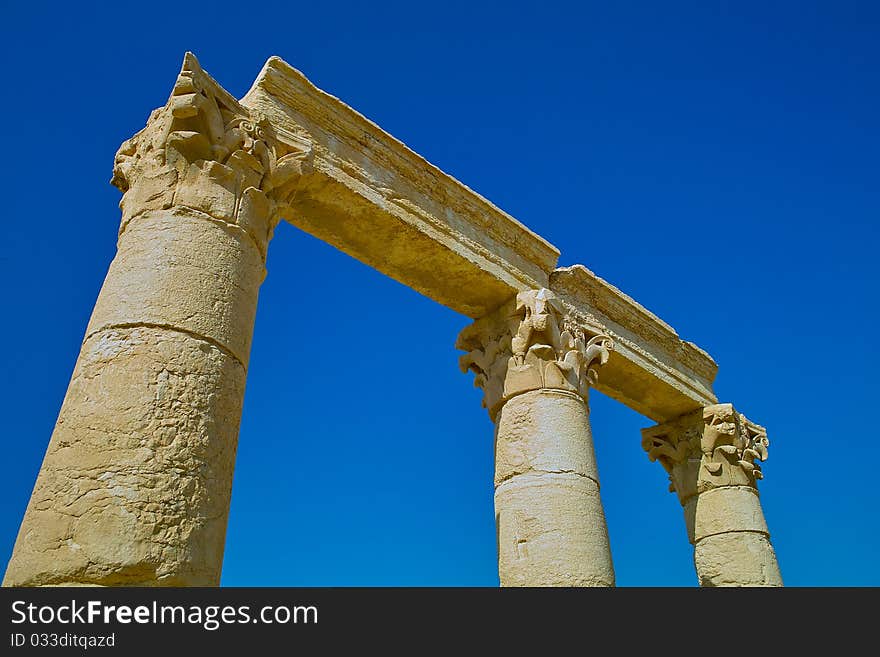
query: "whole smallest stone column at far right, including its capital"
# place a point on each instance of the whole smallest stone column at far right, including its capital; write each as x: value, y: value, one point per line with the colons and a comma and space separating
x: 711, y: 456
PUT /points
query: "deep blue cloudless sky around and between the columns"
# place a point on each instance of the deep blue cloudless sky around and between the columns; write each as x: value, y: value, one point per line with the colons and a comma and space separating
x: 716, y: 161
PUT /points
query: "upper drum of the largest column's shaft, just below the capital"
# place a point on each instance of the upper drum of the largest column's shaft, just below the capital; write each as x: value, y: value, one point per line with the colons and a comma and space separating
x: 209, y: 270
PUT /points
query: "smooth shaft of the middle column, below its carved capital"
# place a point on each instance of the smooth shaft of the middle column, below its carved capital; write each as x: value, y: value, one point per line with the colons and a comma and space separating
x: 550, y: 521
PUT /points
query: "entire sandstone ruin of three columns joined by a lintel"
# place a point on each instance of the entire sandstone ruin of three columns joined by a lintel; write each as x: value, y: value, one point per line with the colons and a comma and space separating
x: 135, y: 485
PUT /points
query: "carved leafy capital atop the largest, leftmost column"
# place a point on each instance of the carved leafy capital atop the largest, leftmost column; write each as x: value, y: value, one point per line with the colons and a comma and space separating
x: 204, y: 151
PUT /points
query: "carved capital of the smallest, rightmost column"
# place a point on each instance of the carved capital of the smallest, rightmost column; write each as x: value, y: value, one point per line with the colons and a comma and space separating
x: 712, y: 447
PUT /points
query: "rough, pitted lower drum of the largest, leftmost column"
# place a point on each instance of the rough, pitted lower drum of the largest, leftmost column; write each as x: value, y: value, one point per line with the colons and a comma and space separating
x: 135, y: 484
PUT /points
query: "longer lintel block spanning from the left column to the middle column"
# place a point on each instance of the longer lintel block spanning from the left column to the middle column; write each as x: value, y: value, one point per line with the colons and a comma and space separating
x: 372, y: 197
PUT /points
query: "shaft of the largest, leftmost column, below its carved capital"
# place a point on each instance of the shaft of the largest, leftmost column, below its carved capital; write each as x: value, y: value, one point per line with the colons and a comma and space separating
x: 135, y: 485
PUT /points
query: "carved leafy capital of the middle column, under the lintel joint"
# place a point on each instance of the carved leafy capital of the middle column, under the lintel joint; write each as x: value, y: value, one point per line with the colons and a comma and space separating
x: 534, y: 342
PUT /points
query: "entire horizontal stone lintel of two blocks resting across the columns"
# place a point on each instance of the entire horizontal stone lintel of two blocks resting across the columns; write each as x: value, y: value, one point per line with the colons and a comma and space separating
x: 372, y: 197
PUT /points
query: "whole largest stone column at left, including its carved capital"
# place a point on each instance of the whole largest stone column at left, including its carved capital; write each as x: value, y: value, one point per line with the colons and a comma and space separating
x: 135, y: 485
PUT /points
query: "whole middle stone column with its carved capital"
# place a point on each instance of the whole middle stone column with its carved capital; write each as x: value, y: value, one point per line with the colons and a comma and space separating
x: 535, y: 361
